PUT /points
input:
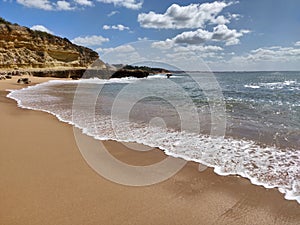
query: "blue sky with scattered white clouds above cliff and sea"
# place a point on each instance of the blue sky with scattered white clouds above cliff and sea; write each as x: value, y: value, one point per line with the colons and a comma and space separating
x: 224, y: 35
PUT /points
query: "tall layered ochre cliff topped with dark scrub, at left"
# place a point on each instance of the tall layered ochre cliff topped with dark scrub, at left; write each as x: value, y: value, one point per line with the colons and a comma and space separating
x: 21, y: 47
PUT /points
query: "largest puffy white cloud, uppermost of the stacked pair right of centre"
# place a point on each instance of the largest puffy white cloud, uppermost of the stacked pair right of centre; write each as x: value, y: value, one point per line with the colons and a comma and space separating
x: 191, y: 16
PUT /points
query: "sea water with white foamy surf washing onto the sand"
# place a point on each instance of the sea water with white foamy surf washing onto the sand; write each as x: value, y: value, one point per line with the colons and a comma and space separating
x: 243, y: 123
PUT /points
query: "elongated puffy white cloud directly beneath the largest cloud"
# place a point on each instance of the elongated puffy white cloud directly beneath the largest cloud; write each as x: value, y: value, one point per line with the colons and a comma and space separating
x: 220, y: 33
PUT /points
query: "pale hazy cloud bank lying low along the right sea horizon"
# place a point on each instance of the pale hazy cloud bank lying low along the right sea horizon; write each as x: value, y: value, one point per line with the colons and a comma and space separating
x: 265, y: 58
